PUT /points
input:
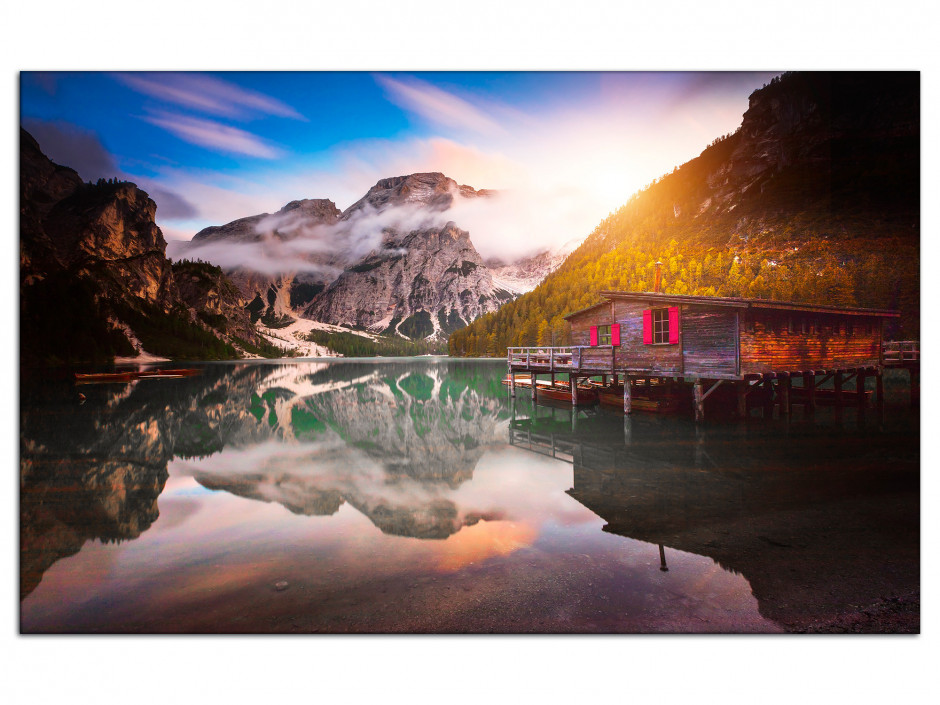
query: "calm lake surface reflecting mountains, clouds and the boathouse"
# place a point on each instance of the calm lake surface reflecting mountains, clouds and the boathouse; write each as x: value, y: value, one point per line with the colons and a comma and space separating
x: 415, y: 496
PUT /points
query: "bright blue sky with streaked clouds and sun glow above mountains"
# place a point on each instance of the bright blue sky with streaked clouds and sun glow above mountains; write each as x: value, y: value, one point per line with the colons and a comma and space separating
x: 213, y: 147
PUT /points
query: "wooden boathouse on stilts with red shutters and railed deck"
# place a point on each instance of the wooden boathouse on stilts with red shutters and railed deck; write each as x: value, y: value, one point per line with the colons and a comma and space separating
x: 644, y: 339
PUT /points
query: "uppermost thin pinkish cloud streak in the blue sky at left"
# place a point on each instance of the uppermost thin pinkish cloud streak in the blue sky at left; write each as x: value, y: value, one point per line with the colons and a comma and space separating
x: 208, y: 94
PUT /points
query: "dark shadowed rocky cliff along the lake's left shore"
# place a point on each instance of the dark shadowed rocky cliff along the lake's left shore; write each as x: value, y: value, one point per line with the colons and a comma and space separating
x: 93, y: 270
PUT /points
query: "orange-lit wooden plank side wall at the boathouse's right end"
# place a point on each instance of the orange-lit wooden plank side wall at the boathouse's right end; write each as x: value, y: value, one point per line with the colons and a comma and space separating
x: 772, y: 347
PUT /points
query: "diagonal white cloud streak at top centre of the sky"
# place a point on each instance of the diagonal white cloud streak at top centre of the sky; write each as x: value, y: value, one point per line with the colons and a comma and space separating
x: 438, y: 106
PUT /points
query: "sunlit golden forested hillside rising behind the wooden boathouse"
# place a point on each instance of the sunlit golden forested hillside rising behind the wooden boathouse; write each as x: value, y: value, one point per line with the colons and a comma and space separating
x: 815, y: 198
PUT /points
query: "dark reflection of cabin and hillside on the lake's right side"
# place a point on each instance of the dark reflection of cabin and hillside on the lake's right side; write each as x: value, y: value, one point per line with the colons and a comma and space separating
x: 823, y: 523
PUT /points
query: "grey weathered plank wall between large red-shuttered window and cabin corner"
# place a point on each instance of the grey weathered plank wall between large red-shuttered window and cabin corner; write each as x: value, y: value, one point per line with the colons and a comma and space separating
x: 709, y: 343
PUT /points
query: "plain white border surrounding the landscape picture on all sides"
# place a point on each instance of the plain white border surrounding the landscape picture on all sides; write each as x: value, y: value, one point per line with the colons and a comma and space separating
x: 409, y: 34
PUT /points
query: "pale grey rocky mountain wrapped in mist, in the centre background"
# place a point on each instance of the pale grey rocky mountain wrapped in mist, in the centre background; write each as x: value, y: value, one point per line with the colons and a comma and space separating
x: 392, y: 262
